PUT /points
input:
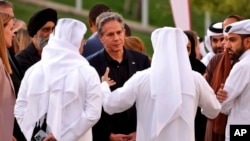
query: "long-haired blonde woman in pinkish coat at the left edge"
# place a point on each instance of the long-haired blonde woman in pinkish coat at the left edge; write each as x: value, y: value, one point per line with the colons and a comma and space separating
x: 7, y: 93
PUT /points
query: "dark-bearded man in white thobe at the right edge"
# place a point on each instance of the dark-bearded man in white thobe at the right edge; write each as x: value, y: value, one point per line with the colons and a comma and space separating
x: 237, y: 86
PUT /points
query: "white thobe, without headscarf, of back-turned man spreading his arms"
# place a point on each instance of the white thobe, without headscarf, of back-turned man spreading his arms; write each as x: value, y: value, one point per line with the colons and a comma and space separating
x: 137, y: 89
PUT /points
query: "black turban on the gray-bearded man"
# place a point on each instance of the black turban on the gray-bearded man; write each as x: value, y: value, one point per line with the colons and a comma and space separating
x: 39, y: 19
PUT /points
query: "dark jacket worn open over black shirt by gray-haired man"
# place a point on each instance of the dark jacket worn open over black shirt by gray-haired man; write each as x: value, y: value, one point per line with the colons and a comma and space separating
x: 108, y: 123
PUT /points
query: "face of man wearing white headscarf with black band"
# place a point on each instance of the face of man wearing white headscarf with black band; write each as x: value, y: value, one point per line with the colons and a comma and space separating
x: 216, y: 43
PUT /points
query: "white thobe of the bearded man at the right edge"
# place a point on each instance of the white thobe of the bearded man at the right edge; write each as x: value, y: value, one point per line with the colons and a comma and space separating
x: 237, y: 105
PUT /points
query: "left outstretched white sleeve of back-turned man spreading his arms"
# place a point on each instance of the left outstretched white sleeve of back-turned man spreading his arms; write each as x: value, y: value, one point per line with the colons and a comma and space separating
x: 121, y: 99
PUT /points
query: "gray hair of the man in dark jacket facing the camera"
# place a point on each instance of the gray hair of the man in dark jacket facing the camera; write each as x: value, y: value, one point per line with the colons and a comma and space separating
x: 106, y: 17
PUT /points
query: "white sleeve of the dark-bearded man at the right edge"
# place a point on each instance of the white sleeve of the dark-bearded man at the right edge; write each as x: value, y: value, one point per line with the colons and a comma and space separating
x: 234, y: 86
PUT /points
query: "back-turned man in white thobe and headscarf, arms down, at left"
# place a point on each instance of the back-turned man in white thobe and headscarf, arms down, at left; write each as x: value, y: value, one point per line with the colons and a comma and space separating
x: 62, y: 87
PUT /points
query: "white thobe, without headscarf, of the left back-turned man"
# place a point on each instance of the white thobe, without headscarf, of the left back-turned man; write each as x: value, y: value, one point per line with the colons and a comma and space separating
x: 80, y: 115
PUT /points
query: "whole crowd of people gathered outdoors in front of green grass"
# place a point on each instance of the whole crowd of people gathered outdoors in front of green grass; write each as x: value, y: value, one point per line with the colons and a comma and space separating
x: 58, y: 85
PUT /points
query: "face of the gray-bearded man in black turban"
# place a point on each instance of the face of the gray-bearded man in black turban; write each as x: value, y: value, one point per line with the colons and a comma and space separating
x: 42, y: 35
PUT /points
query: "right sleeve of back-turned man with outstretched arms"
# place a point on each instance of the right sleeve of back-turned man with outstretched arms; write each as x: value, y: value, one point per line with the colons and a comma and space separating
x: 207, y: 99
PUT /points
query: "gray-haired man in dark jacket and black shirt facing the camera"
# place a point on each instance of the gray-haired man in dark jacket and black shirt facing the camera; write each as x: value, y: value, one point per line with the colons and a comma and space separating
x: 123, y: 64
